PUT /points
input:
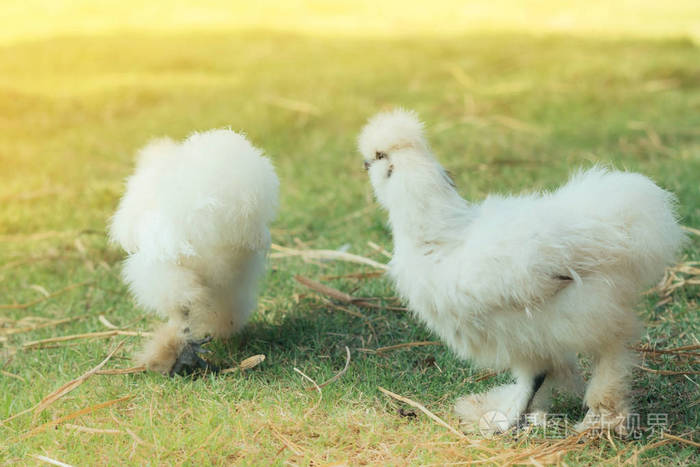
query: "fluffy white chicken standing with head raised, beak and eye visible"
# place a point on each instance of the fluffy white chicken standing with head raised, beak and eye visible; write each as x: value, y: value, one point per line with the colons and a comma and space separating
x: 524, y: 282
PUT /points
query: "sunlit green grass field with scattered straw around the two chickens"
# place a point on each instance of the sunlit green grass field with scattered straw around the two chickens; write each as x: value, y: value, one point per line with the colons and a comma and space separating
x: 513, y: 102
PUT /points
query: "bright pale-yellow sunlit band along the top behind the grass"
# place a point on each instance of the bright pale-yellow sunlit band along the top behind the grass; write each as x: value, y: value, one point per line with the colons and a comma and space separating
x: 34, y: 19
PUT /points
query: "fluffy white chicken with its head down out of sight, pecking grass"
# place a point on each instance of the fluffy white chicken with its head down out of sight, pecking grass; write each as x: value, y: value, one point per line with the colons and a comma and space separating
x: 194, y: 221
